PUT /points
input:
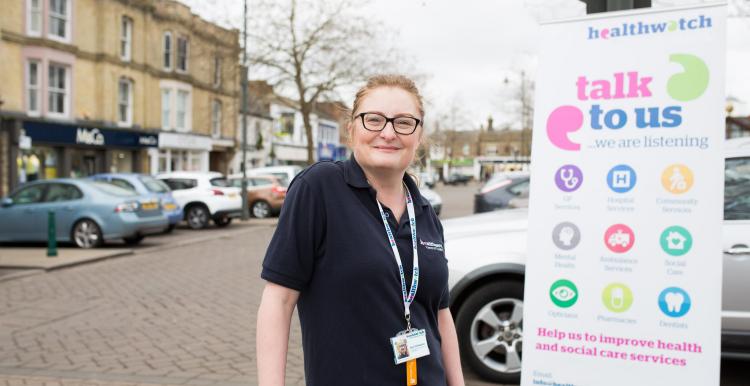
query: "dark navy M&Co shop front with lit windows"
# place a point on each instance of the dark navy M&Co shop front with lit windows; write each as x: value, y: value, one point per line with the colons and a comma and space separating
x: 53, y: 150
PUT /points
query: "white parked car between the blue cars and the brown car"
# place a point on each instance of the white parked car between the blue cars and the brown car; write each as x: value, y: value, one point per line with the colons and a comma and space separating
x: 204, y: 197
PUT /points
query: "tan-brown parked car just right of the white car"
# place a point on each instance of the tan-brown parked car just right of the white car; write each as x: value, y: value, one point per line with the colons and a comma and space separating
x: 265, y: 194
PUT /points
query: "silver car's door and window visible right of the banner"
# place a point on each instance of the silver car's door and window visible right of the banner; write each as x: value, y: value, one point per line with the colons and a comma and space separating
x: 736, y: 245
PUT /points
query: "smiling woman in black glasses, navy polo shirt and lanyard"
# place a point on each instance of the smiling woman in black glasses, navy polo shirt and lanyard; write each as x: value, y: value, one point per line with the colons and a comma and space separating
x: 332, y: 257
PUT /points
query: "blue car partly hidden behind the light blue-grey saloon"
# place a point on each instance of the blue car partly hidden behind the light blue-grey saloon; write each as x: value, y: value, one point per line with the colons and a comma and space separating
x: 146, y: 185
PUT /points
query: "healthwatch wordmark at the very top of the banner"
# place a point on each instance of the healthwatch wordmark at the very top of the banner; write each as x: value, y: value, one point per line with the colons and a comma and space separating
x: 641, y: 28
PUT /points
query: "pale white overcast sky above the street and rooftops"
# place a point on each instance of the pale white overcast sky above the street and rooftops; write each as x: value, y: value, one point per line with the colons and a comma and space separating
x: 467, y: 49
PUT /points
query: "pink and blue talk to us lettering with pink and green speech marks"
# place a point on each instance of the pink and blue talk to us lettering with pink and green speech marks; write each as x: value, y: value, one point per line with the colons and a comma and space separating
x: 630, y: 84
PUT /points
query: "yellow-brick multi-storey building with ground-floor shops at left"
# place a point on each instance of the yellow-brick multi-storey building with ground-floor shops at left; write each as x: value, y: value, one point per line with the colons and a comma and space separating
x: 92, y: 86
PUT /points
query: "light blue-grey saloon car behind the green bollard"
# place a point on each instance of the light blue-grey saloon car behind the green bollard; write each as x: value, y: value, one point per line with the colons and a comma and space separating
x: 87, y: 213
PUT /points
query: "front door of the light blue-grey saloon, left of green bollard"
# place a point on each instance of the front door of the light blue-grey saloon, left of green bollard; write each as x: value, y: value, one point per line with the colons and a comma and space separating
x: 24, y: 219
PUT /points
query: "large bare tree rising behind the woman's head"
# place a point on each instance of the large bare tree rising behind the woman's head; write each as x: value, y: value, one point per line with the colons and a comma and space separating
x: 313, y: 48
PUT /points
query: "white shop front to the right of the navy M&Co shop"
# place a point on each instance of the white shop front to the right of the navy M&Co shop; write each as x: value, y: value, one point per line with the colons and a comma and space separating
x: 180, y: 152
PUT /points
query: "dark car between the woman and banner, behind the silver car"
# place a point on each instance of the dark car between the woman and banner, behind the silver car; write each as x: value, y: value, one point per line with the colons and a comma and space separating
x: 498, y: 192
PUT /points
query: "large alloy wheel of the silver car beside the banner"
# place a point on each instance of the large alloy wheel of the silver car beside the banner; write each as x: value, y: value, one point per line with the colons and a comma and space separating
x: 490, y: 331
